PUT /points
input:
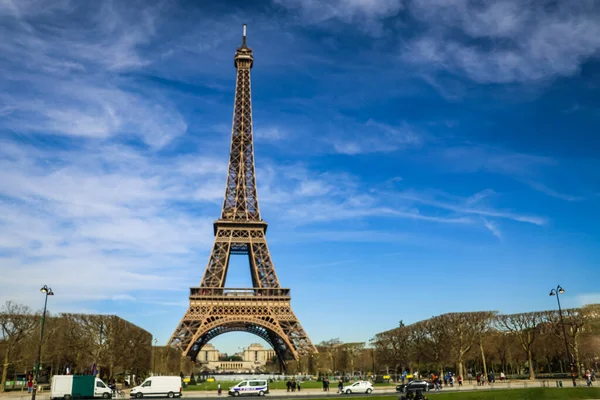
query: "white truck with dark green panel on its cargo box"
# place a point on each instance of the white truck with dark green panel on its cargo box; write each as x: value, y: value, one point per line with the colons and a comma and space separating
x: 78, y: 387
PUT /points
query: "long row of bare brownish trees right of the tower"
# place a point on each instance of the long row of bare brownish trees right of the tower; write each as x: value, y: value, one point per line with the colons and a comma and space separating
x: 532, y: 342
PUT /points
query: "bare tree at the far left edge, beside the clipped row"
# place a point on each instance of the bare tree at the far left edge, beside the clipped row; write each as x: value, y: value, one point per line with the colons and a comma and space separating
x: 17, y: 322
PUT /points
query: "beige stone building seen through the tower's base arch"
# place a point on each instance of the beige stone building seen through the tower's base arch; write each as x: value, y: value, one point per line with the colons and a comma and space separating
x: 254, y: 359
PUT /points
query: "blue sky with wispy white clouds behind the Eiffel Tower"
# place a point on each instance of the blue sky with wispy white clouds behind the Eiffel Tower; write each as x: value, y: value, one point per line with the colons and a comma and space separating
x: 413, y: 157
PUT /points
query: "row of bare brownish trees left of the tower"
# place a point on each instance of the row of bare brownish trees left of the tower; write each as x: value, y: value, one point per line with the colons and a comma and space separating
x: 74, y: 340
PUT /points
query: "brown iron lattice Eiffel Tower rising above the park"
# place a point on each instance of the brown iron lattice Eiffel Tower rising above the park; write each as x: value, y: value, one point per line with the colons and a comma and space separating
x: 264, y: 309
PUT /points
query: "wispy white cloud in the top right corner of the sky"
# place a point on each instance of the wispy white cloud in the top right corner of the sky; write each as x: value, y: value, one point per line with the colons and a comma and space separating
x: 507, y: 41
